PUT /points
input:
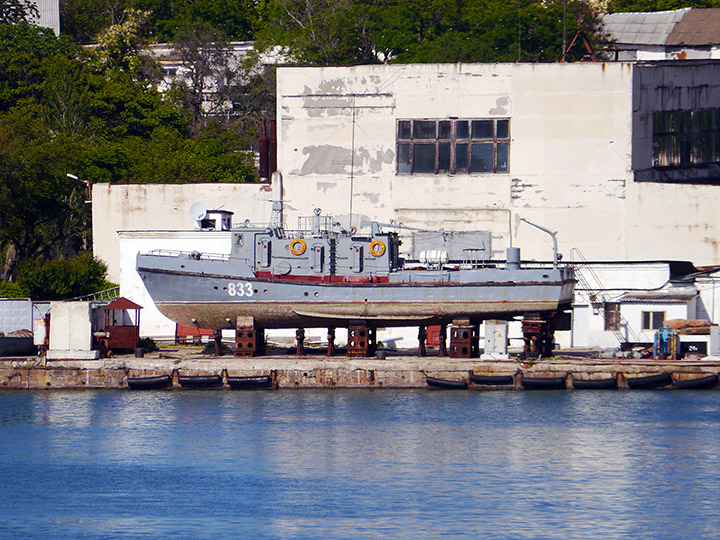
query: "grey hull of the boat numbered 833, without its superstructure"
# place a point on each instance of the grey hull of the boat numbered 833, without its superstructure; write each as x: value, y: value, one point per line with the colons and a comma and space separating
x: 213, y: 293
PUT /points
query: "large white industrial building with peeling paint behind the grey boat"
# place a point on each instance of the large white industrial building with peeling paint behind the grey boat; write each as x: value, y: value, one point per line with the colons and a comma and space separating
x: 621, y: 159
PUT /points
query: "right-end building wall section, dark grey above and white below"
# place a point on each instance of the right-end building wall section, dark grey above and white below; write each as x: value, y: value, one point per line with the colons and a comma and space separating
x: 672, y: 220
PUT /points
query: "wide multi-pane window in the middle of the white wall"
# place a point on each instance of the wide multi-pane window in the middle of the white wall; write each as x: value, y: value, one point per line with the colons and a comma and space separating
x: 454, y: 146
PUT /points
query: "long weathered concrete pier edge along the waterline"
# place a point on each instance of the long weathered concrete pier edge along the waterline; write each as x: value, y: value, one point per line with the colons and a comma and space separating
x: 324, y: 372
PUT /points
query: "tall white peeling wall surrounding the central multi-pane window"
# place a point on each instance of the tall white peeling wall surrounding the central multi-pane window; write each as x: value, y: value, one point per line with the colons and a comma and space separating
x: 571, y: 154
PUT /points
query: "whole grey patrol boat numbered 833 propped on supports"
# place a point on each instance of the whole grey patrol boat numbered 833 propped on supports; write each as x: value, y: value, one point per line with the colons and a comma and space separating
x: 322, y: 275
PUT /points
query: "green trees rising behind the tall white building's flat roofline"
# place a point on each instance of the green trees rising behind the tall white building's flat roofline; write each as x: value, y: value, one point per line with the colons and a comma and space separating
x: 371, y: 31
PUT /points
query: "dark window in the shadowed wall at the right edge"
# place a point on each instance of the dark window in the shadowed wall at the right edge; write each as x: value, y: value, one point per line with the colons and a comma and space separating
x: 686, y: 138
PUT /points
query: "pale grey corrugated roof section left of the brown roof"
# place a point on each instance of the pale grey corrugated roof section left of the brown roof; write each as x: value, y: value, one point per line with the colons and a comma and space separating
x: 643, y: 28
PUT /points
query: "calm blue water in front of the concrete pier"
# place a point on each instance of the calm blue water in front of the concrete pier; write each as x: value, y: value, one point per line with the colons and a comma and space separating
x: 359, y: 464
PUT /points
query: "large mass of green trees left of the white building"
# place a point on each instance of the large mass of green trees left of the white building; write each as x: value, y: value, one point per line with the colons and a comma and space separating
x: 94, y: 114
